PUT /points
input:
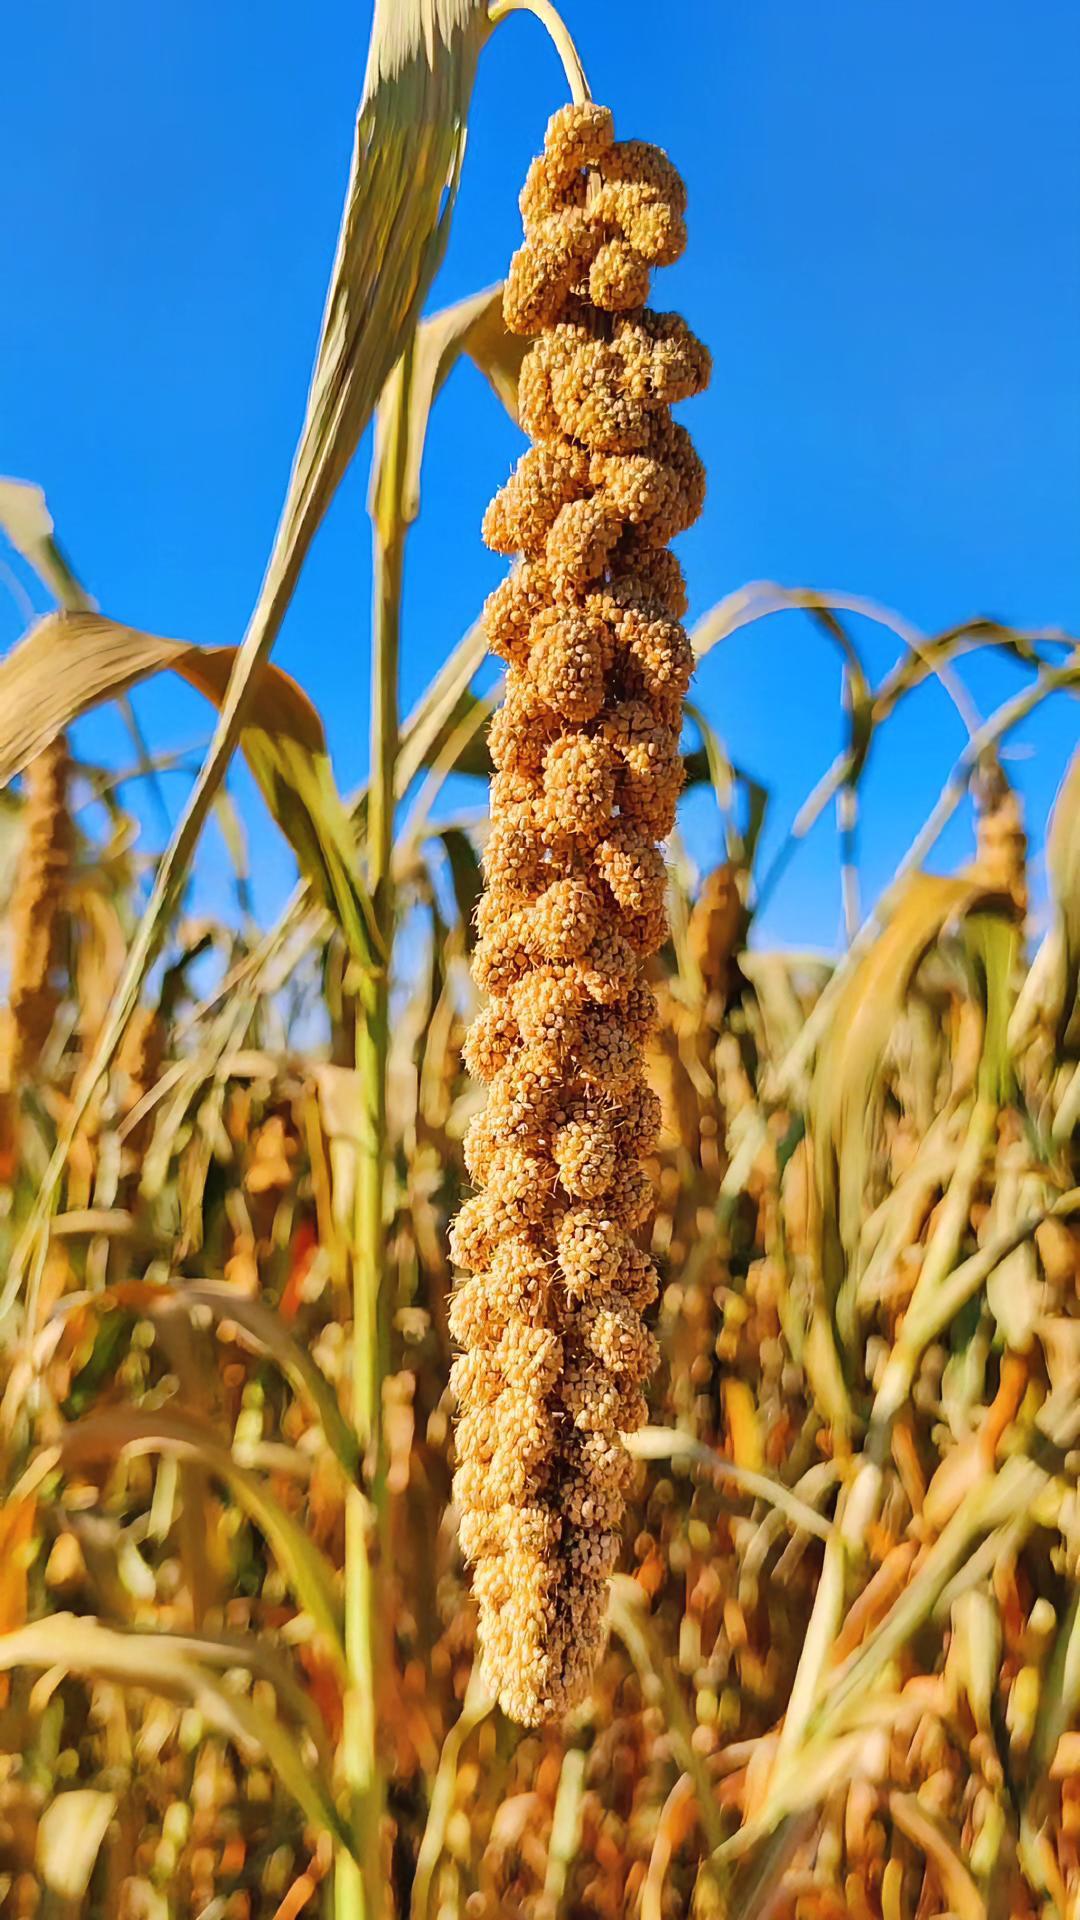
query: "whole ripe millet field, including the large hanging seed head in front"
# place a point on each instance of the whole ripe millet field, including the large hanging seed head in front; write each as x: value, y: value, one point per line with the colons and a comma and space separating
x: 516, y: 1397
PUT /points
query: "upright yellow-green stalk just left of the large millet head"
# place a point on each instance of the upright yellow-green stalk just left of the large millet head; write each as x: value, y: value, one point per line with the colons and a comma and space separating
x: 360, y: 1890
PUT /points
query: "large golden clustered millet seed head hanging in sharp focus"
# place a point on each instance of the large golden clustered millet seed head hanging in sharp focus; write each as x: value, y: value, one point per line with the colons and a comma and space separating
x: 587, y: 780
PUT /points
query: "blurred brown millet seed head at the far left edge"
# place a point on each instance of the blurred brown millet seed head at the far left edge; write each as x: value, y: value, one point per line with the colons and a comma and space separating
x: 36, y: 915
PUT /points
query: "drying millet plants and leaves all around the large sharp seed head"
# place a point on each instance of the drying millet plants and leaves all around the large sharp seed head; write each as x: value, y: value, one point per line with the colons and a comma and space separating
x: 235, y: 1635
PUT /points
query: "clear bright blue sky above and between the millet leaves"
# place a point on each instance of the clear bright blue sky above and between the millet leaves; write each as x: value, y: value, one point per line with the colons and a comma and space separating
x: 885, y: 260
